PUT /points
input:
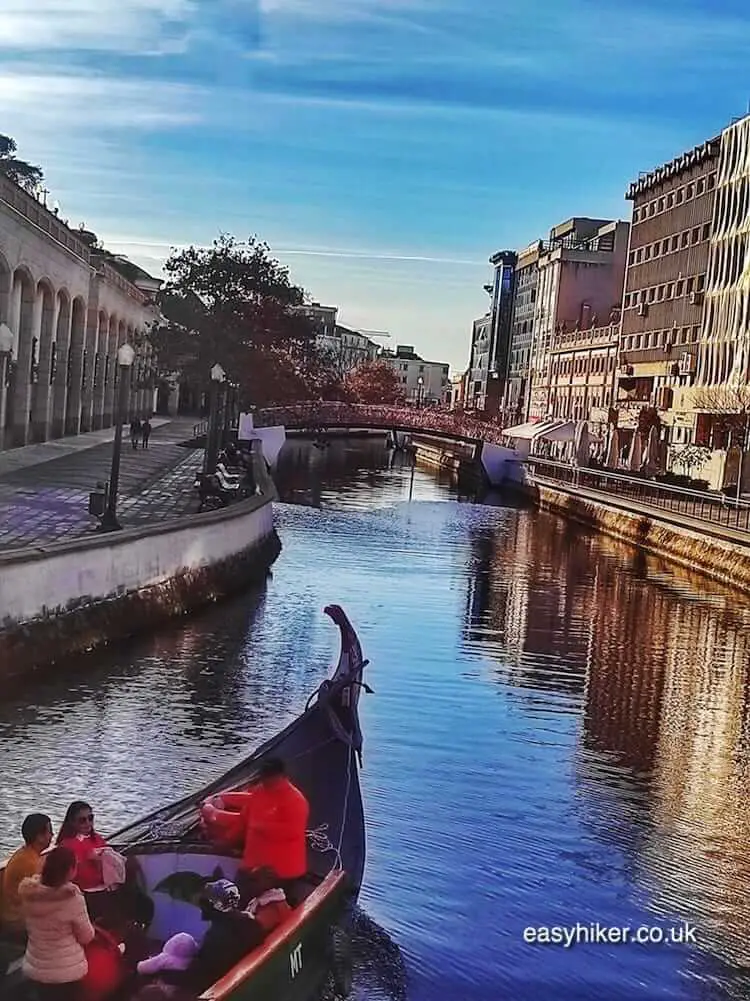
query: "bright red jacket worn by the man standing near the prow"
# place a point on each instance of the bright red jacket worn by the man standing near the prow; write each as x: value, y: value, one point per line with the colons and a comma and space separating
x: 275, y: 817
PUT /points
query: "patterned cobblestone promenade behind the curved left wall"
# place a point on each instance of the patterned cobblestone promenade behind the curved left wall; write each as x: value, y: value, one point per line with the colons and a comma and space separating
x: 45, y: 488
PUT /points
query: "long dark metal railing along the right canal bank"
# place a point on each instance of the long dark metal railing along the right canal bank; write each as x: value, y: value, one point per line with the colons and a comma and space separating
x: 705, y: 506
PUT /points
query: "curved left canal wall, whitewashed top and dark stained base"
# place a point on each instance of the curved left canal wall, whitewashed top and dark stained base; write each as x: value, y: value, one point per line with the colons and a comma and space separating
x: 71, y: 597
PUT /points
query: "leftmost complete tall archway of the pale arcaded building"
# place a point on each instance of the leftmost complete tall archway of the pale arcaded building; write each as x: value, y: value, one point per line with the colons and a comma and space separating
x: 26, y: 323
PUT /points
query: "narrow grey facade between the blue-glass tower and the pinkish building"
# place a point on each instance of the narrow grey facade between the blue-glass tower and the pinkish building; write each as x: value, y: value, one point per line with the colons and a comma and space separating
x: 522, y: 334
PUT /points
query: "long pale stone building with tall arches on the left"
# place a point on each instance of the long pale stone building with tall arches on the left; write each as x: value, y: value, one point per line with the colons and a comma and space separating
x: 69, y: 308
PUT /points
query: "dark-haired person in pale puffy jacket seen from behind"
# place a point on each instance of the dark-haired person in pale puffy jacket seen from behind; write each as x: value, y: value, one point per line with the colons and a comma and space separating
x: 59, y: 927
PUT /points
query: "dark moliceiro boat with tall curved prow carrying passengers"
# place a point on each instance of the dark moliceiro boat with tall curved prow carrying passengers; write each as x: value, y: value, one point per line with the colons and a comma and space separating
x: 174, y: 861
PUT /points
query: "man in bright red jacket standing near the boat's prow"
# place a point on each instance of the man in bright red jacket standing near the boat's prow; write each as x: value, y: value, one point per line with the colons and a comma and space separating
x: 273, y: 814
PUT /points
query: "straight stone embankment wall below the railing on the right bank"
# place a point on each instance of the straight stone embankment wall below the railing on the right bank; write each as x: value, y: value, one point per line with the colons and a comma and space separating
x: 711, y: 556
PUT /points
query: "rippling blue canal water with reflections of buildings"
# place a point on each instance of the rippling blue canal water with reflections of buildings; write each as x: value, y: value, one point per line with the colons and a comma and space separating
x: 560, y: 736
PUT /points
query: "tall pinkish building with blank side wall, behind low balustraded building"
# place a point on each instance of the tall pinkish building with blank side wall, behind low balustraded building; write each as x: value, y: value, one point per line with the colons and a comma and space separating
x: 581, y: 274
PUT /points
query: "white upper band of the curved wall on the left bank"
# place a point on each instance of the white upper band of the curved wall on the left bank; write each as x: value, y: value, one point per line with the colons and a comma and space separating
x: 100, y: 567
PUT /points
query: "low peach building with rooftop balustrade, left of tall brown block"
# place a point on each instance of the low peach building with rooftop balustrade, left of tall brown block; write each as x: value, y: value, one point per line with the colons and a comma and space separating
x: 582, y: 374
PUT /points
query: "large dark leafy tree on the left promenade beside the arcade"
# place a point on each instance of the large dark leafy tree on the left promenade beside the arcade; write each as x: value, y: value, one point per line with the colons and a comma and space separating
x: 234, y: 304
